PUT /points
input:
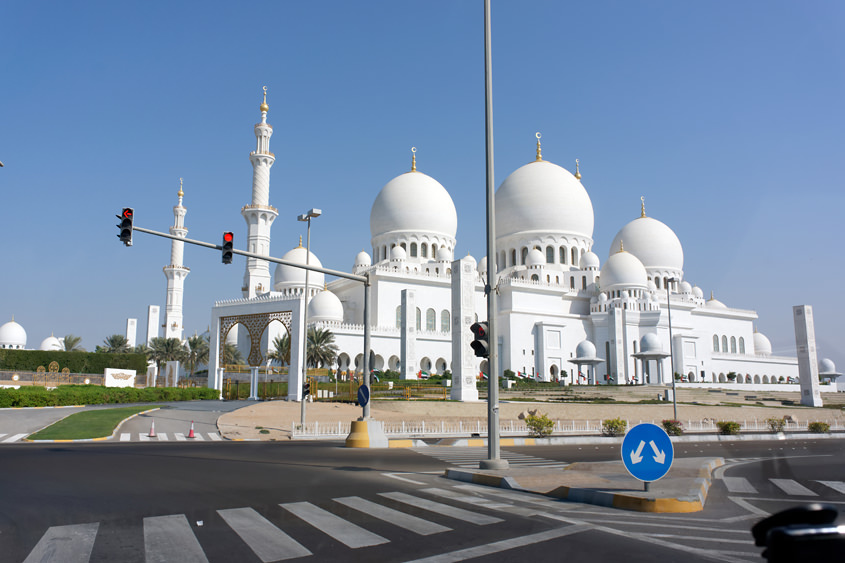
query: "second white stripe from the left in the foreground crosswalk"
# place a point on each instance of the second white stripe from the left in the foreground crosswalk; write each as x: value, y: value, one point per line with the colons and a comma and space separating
x: 170, y: 538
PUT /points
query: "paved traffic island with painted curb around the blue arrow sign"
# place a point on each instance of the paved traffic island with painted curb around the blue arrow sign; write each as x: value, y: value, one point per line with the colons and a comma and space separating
x: 683, y: 489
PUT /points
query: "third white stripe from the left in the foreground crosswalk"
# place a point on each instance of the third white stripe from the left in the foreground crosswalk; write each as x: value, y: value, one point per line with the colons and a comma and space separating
x: 267, y: 541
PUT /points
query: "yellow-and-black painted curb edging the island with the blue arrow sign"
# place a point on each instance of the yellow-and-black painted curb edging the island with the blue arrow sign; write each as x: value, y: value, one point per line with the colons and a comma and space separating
x: 691, y: 501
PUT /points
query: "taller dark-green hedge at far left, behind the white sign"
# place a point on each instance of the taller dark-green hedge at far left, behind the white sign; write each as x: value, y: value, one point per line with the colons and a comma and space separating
x: 76, y: 362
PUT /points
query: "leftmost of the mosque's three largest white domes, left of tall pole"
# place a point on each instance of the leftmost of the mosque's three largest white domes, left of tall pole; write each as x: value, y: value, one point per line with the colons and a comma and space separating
x: 414, y: 202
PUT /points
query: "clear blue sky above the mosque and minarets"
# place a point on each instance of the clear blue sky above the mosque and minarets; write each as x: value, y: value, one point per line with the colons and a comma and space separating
x: 727, y: 116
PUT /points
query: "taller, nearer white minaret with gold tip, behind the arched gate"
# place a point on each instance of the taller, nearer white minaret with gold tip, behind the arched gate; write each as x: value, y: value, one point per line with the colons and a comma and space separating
x: 259, y: 215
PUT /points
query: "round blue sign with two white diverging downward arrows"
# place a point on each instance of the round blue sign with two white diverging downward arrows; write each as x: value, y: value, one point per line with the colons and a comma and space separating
x: 647, y: 452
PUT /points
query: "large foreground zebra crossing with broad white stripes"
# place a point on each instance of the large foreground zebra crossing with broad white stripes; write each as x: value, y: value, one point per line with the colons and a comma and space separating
x: 173, y: 537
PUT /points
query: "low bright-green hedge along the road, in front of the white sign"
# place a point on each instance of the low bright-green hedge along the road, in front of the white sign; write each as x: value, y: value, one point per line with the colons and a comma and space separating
x: 98, y: 395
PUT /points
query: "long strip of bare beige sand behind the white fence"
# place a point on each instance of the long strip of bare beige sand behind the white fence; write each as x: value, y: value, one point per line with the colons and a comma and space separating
x: 277, y: 417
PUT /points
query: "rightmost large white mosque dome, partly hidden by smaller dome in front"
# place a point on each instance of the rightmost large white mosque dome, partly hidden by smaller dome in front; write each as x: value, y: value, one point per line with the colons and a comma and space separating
x: 655, y: 244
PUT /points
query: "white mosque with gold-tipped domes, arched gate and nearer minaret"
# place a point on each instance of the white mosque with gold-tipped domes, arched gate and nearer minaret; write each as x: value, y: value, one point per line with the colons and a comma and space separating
x: 563, y: 314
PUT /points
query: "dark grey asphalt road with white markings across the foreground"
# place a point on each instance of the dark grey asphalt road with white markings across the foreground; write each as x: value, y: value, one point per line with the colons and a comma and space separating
x: 247, y: 501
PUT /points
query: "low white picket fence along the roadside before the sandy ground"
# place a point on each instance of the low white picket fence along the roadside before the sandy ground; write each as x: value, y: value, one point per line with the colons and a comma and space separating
x: 442, y: 429
